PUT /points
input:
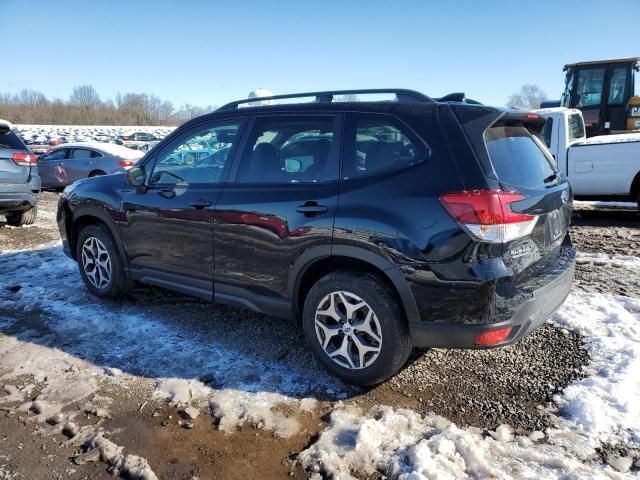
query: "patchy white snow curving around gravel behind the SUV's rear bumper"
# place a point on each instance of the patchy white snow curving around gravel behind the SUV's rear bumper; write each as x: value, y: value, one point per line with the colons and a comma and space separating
x: 603, y: 407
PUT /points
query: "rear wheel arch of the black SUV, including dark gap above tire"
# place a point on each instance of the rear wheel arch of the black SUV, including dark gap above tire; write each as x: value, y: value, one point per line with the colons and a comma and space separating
x: 320, y: 261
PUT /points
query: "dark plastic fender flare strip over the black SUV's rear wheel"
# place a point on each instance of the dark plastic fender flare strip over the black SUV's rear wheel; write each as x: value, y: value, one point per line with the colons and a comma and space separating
x: 391, y: 272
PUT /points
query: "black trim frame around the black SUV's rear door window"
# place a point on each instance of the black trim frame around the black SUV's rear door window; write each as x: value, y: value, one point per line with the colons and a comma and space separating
x: 338, y: 129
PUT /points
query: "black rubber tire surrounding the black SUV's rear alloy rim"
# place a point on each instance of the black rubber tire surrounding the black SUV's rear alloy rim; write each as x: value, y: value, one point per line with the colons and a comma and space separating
x: 395, y: 339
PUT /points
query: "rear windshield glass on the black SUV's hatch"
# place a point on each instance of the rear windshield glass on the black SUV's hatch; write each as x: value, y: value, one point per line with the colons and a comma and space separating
x: 516, y: 157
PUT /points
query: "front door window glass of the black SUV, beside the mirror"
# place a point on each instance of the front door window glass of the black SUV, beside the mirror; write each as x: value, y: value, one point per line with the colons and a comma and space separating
x: 198, y: 157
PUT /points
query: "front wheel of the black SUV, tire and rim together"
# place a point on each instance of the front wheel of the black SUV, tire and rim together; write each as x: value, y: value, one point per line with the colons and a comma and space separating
x: 100, y: 263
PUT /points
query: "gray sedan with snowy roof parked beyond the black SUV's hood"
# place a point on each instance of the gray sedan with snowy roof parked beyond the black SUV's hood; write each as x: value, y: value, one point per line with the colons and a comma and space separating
x: 67, y: 163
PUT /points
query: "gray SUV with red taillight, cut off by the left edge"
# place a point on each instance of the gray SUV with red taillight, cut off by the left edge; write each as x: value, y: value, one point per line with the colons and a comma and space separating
x: 19, y: 180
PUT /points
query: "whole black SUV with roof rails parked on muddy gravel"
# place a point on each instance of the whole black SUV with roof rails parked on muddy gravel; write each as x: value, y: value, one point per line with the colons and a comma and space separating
x: 382, y: 225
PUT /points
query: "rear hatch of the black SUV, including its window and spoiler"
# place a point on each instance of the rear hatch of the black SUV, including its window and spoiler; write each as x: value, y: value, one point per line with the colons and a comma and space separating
x: 533, y: 201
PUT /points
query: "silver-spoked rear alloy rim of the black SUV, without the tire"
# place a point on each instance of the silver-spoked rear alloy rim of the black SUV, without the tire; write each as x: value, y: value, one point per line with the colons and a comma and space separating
x: 348, y: 330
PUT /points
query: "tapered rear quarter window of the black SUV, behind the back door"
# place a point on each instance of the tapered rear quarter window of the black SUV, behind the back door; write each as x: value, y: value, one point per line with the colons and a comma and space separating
x: 377, y: 144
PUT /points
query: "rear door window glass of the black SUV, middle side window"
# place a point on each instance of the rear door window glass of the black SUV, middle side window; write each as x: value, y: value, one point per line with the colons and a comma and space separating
x: 291, y: 150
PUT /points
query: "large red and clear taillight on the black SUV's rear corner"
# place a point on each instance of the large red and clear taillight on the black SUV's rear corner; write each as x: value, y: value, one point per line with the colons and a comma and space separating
x: 487, y: 214
